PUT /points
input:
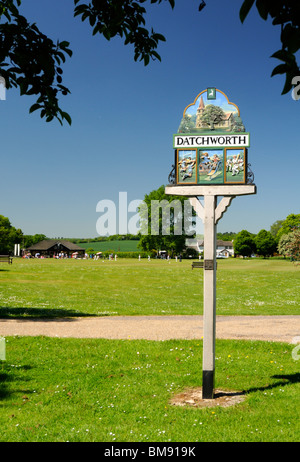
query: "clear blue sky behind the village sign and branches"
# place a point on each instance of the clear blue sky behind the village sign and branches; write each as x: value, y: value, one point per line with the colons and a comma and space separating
x: 124, y: 117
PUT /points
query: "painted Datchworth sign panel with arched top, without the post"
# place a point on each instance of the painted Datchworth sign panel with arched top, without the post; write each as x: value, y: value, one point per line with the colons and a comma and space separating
x: 211, y: 142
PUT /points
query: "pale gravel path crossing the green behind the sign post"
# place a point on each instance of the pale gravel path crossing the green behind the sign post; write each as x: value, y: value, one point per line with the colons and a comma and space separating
x: 268, y: 328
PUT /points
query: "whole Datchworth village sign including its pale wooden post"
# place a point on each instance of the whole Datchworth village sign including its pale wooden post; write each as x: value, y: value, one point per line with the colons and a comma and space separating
x: 210, y: 162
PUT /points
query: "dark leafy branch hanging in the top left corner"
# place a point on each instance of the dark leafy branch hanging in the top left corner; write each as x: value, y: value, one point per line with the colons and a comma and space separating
x: 31, y: 61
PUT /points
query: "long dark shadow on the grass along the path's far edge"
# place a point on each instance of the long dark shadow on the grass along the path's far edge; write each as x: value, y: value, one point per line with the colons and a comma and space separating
x: 39, y: 313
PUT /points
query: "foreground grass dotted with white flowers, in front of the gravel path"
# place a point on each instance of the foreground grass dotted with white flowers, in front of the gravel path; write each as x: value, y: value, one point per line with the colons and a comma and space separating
x: 111, y: 390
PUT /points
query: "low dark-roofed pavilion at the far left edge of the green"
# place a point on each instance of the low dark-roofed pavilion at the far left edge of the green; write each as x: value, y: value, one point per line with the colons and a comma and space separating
x: 51, y: 247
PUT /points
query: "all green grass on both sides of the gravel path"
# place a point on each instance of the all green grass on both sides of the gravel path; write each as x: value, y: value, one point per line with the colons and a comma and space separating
x: 54, y: 389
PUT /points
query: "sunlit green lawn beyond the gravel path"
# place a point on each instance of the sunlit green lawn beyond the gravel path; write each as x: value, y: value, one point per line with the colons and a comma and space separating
x: 130, y: 287
